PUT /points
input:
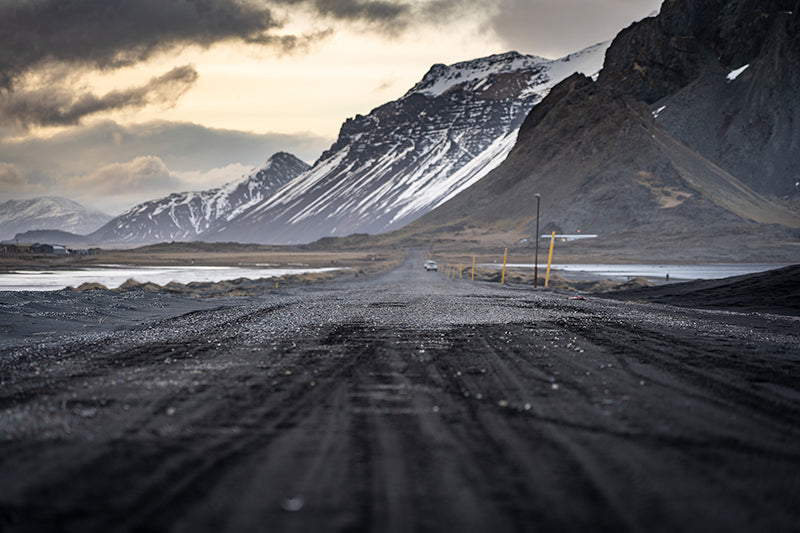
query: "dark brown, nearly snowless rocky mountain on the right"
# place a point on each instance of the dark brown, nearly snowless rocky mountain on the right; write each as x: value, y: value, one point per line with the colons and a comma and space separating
x: 668, y: 143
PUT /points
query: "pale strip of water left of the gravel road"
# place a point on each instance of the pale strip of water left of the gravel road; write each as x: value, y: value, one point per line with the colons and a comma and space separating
x: 112, y: 276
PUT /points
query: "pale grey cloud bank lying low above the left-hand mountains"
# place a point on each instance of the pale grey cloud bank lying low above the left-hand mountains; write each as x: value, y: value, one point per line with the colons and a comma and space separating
x: 143, y: 160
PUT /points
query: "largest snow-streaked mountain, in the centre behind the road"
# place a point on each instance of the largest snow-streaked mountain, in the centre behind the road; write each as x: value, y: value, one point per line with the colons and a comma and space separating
x: 410, y: 155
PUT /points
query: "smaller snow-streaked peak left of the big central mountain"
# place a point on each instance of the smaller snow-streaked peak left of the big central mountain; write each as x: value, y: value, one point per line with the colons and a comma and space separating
x: 184, y: 216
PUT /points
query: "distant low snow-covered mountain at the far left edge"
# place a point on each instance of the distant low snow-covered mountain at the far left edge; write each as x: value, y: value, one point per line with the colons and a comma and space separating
x: 49, y: 212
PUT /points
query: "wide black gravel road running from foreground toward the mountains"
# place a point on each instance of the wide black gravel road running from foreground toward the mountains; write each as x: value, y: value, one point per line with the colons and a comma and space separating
x: 404, y: 402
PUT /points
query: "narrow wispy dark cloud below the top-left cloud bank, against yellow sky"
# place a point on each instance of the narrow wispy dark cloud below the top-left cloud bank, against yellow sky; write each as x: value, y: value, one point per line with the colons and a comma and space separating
x: 53, y: 105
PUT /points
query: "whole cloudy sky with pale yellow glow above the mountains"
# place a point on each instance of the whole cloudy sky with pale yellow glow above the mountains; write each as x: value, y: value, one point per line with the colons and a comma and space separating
x: 114, y: 102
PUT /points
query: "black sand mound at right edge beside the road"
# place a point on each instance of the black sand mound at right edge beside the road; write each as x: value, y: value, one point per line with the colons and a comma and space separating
x: 775, y: 291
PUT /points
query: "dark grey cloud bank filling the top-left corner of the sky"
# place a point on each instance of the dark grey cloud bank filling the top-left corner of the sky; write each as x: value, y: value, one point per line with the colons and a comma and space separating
x: 107, y: 34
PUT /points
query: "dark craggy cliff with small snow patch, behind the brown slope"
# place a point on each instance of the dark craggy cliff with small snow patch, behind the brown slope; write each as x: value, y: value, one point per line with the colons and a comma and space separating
x: 722, y: 77
